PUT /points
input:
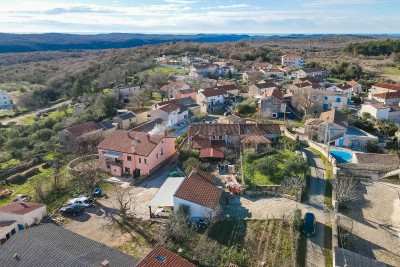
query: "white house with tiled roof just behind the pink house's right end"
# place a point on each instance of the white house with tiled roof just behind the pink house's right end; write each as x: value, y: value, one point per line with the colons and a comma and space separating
x: 171, y: 113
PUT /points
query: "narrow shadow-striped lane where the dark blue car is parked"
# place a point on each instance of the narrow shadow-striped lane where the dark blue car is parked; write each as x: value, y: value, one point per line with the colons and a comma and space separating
x: 315, y: 200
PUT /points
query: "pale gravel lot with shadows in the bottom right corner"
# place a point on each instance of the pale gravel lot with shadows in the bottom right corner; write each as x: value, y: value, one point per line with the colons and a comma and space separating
x: 375, y: 222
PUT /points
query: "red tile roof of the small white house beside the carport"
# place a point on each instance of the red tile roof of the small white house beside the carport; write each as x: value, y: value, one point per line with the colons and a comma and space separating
x: 199, y: 188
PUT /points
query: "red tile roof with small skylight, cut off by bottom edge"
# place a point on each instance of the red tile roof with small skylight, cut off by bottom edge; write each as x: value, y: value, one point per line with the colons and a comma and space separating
x: 162, y: 257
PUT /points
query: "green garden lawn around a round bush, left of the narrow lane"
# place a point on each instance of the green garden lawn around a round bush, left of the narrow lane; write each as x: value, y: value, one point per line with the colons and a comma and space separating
x: 255, y: 177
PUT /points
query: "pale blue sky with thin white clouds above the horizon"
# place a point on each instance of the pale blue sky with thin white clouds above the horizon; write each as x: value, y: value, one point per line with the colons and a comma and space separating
x: 198, y: 16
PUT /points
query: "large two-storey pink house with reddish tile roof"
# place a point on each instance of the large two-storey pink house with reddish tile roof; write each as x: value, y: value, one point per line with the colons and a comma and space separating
x: 134, y: 153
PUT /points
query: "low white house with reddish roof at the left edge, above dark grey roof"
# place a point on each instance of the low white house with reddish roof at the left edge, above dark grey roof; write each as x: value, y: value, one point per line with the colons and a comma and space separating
x: 24, y: 213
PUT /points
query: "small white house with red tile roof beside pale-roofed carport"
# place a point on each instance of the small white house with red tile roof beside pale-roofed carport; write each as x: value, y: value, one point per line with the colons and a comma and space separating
x: 199, y: 192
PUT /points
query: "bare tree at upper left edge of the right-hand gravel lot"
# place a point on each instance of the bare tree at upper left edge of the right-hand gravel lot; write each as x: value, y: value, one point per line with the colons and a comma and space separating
x: 345, y: 189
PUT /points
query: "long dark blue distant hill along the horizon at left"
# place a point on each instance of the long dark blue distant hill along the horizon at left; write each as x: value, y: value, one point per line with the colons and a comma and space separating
x: 58, y: 41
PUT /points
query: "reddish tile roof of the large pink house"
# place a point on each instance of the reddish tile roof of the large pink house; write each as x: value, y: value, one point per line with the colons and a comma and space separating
x: 122, y: 141
